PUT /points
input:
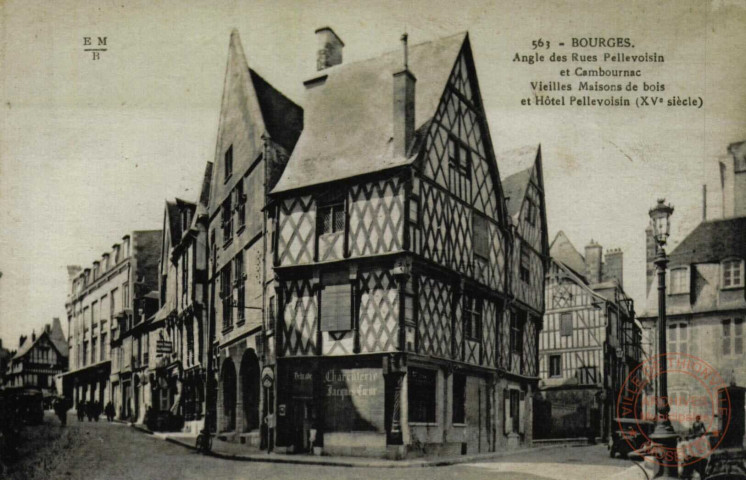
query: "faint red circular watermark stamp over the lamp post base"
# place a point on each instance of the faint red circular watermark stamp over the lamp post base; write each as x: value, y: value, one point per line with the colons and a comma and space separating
x: 695, y: 407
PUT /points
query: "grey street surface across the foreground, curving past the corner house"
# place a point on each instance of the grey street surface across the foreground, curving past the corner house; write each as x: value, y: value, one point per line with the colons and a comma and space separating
x: 115, y: 451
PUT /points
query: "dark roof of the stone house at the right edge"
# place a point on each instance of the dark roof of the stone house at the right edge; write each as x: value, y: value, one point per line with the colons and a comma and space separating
x: 711, y: 242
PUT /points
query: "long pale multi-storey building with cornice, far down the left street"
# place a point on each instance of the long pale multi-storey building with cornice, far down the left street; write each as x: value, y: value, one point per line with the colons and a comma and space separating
x: 106, y: 304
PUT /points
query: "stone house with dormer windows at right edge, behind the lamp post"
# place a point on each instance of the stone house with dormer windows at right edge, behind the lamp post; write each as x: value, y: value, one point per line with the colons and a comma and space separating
x: 705, y: 295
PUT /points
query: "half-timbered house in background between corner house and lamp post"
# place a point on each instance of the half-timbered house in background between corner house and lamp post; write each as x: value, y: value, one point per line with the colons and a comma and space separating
x: 589, y: 344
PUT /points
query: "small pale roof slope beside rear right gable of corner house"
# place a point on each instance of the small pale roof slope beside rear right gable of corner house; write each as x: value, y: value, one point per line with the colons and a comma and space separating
x: 516, y: 167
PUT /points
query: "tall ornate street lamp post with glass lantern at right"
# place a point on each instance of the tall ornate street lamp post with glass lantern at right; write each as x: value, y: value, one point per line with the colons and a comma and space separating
x: 664, y: 435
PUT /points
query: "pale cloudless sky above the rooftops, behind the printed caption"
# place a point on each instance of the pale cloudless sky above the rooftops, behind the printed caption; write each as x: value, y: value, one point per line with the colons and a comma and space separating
x: 91, y: 149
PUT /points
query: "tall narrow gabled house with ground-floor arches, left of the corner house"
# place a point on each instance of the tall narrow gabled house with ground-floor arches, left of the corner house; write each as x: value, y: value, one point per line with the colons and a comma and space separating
x: 257, y: 130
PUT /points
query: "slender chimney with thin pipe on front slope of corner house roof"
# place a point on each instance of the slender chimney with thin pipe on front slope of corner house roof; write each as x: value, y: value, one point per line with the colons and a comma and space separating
x: 404, y: 83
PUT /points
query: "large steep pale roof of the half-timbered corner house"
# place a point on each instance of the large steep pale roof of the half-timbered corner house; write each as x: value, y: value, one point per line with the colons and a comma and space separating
x: 349, y: 119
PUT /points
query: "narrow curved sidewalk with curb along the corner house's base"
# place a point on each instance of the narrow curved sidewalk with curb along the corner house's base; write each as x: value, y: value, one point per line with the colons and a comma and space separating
x: 380, y: 463
